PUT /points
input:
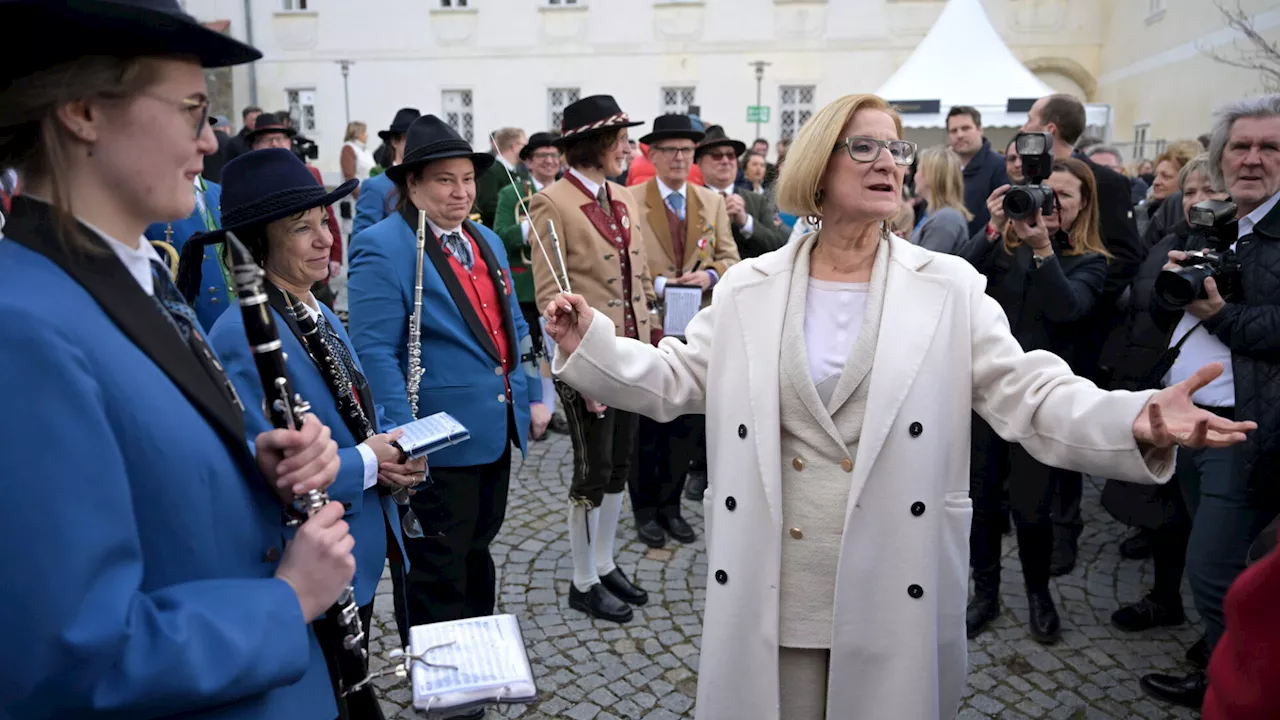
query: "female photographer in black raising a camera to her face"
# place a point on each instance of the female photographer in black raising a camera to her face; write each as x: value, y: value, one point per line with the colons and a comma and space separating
x: 1046, y: 266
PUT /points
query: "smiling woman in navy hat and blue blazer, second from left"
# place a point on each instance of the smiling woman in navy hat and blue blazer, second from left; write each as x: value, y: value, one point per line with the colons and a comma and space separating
x: 277, y: 209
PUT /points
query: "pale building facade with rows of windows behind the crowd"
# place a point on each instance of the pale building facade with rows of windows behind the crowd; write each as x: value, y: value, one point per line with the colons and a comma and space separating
x: 483, y: 65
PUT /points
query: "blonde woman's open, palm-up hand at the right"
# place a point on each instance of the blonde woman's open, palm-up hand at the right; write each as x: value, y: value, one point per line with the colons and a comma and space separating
x: 1171, y: 418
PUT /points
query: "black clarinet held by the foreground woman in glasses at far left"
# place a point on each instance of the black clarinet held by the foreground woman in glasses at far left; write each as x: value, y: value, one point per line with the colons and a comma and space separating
x: 286, y: 409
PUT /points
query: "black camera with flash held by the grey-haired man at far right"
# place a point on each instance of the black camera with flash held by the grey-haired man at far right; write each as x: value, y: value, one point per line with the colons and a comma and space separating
x: 1214, y: 227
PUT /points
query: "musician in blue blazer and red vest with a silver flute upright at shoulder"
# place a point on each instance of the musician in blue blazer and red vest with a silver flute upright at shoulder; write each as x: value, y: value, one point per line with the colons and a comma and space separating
x: 477, y: 363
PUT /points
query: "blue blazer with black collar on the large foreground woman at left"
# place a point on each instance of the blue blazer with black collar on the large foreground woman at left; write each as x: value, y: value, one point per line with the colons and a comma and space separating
x: 141, y: 543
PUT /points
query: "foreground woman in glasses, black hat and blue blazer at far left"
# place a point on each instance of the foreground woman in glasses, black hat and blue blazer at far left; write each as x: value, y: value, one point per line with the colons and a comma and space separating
x: 145, y: 567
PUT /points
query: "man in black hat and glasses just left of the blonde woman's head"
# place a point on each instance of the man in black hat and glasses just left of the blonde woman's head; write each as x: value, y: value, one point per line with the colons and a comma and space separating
x: 751, y: 213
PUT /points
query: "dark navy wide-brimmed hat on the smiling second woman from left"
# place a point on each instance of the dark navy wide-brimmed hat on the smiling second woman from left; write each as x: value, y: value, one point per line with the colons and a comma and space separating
x: 259, y: 188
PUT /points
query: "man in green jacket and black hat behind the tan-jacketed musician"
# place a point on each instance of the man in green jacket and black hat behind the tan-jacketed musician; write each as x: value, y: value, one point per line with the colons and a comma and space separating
x: 542, y: 158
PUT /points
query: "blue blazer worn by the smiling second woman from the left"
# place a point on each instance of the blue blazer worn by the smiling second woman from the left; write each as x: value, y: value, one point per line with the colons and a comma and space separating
x: 367, y: 511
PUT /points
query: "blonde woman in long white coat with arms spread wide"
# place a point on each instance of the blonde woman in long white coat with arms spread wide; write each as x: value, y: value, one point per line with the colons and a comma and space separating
x: 838, y: 516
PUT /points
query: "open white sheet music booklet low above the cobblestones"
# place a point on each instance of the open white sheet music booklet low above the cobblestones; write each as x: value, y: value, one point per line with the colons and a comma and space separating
x: 467, y: 664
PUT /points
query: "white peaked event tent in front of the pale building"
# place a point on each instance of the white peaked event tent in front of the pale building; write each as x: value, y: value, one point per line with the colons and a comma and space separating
x: 963, y: 61
